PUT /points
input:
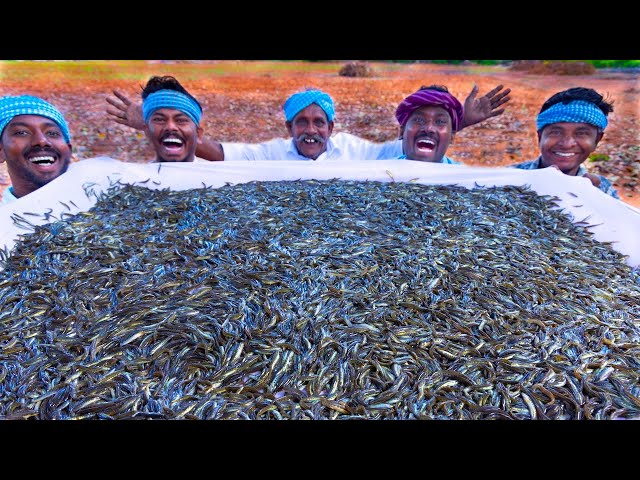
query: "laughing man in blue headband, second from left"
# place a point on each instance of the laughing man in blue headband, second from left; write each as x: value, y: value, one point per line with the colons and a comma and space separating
x: 172, y: 119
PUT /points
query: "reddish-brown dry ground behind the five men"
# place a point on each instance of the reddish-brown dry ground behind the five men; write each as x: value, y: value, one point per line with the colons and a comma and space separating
x: 243, y: 102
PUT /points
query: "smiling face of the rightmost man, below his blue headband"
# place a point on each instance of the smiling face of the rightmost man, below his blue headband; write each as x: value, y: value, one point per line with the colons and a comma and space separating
x: 566, y: 145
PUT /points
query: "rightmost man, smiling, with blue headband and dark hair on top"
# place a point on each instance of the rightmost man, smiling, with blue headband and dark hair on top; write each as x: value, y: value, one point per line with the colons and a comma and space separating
x: 570, y: 125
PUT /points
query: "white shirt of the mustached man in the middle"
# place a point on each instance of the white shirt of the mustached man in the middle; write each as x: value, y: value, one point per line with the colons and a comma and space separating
x: 341, y: 146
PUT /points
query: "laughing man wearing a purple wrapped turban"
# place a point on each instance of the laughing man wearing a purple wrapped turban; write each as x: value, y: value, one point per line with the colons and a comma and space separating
x: 429, y: 119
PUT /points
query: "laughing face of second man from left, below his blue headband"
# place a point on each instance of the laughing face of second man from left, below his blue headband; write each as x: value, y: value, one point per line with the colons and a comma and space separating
x: 174, y: 135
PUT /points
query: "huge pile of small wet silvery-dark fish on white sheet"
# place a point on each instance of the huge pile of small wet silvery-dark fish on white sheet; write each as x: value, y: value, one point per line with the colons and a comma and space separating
x: 318, y: 300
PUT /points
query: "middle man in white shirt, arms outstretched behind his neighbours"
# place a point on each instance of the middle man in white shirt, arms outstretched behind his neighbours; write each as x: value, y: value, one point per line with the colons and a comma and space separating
x: 309, y: 118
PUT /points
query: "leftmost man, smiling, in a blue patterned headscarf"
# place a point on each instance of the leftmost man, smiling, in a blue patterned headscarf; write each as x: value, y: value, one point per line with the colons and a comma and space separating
x: 34, y: 141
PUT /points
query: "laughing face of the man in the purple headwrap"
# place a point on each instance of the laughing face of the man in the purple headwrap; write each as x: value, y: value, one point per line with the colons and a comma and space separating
x: 427, y: 134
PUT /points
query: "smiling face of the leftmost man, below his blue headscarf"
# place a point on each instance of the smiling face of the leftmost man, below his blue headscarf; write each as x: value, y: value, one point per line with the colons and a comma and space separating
x: 35, y: 151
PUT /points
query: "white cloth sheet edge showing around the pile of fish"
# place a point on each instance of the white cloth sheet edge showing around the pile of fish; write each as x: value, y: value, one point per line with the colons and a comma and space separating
x: 611, y: 220
